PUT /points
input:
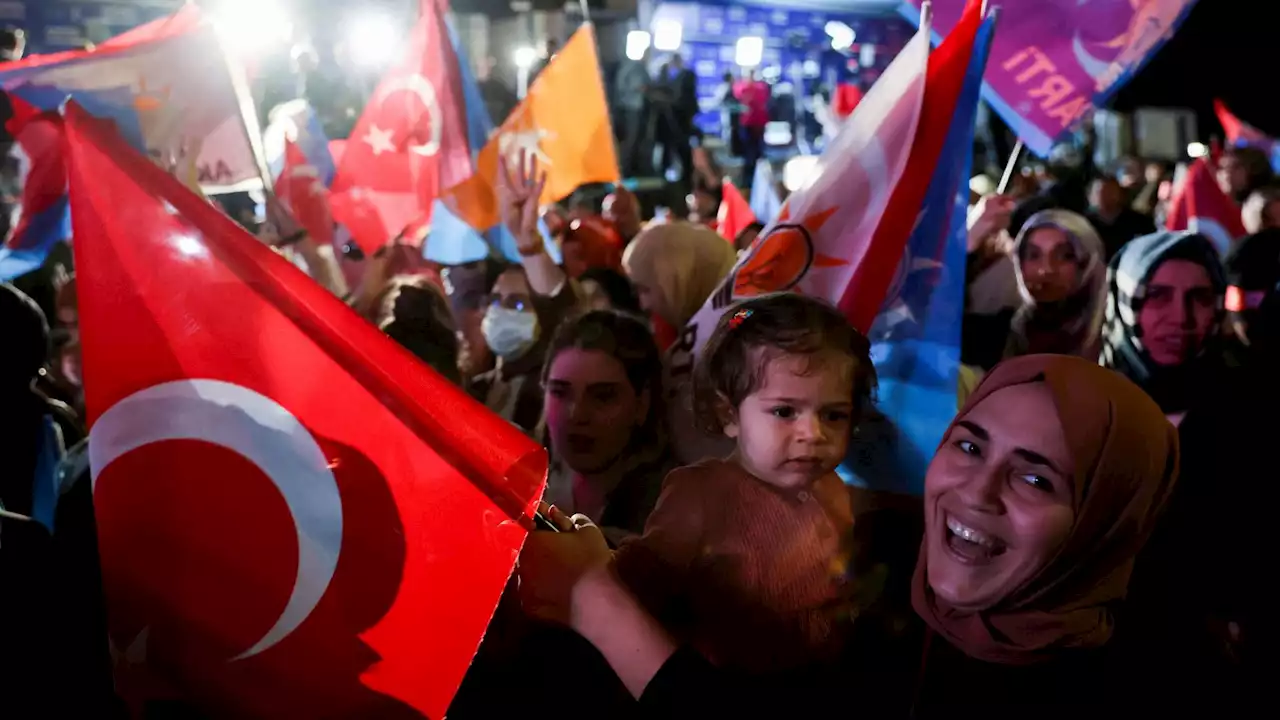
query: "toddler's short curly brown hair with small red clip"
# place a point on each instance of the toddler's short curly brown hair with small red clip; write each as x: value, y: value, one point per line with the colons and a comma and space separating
x: 787, y: 325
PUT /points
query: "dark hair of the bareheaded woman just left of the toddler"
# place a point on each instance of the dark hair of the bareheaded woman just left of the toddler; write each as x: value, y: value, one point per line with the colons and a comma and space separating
x: 628, y: 340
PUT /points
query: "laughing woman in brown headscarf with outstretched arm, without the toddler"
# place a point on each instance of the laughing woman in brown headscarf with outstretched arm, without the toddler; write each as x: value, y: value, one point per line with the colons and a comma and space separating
x: 1043, y: 494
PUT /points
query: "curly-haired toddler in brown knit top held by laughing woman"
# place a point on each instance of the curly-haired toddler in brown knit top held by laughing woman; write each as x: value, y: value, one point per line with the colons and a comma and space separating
x: 747, y: 558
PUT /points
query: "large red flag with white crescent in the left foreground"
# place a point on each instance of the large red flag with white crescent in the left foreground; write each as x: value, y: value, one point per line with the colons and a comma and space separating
x: 296, y: 518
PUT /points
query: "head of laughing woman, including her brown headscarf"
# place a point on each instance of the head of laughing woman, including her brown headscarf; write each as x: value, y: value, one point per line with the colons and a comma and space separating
x: 1036, y: 505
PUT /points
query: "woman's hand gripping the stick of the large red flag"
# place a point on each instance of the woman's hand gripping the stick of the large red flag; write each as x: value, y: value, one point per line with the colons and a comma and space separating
x: 552, y: 564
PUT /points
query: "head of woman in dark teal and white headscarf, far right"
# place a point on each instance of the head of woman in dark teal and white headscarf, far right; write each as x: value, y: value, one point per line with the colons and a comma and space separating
x: 1165, y: 306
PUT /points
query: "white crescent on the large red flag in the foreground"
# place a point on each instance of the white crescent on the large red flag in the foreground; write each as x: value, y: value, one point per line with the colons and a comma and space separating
x: 236, y: 418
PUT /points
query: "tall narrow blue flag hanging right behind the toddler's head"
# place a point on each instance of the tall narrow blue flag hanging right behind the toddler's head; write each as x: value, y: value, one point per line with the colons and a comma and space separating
x: 916, y: 340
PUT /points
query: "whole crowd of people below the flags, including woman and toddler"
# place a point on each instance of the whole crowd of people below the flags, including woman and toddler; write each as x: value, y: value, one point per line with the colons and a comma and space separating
x: 1091, y: 527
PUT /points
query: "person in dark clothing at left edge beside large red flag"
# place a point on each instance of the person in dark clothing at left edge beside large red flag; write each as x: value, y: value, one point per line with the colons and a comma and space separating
x: 54, y: 659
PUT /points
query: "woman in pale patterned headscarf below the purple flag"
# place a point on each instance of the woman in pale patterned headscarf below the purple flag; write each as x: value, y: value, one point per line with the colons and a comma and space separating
x: 1062, y: 276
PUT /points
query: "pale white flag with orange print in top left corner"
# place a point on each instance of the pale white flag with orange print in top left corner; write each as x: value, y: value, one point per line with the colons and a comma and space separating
x: 166, y: 85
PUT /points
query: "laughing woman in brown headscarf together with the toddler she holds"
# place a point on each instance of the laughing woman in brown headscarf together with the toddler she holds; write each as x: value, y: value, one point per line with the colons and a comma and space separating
x: 1037, y: 503
